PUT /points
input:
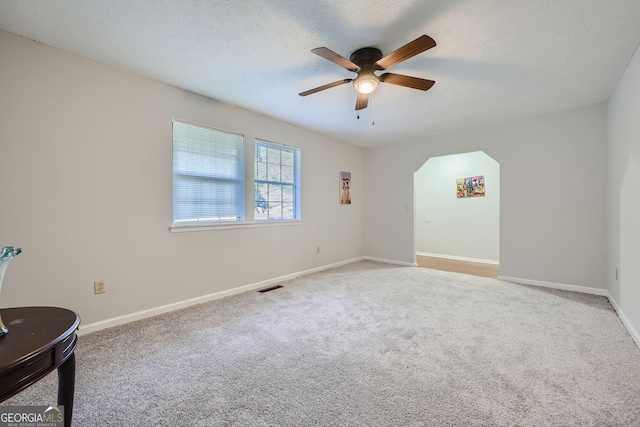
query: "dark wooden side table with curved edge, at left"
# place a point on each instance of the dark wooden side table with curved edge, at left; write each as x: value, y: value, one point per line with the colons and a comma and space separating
x: 40, y: 339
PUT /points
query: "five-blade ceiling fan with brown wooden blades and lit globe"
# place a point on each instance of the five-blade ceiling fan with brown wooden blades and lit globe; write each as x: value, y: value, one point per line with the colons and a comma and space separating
x: 369, y: 59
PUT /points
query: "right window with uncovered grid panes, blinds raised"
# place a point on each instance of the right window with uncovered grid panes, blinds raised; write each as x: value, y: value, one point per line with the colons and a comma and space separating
x: 277, y: 177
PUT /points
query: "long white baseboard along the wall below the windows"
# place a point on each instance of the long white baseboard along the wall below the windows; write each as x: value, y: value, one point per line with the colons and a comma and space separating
x: 143, y: 314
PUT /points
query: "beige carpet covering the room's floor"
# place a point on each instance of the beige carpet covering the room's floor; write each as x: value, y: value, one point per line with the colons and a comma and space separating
x: 366, y: 344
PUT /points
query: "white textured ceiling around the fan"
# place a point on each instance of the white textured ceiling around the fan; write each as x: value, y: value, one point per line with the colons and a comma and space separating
x: 495, y: 60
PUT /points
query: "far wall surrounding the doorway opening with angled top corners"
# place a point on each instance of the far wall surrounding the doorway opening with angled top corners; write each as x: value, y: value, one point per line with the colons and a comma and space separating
x: 552, y: 193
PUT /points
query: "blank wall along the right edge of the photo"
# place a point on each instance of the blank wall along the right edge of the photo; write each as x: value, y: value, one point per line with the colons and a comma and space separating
x: 623, y: 203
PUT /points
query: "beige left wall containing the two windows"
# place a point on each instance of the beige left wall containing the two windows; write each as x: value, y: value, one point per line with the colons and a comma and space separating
x: 85, y: 167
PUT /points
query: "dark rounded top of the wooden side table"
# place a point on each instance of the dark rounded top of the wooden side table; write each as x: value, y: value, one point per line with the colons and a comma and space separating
x: 32, y: 331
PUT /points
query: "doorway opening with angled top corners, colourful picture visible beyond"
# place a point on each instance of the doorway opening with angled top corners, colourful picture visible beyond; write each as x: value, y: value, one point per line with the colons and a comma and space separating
x: 458, y: 229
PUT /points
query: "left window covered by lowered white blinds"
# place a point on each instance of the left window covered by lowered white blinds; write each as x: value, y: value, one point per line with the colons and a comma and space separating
x: 208, y: 175
